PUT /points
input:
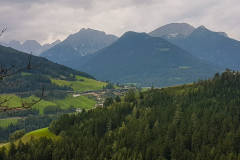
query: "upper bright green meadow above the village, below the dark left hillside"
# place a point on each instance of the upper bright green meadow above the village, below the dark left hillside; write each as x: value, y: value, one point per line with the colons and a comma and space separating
x: 87, y: 84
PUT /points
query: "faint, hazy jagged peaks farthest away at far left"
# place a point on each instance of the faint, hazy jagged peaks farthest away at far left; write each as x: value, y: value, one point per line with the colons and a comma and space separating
x: 30, y: 46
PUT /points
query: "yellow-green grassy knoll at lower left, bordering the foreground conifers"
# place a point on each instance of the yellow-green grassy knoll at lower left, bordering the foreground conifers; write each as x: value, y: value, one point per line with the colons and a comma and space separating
x: 36, y: 135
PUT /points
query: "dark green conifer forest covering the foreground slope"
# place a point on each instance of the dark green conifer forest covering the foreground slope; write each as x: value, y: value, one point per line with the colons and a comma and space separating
x: 194, y: 121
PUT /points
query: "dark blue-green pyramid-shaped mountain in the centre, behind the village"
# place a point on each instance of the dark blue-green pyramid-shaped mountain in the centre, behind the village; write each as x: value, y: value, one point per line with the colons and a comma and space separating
x: 140, y: 58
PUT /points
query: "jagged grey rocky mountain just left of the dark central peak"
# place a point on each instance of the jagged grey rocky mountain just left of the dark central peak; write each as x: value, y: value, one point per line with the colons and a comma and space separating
x: 85, y: 42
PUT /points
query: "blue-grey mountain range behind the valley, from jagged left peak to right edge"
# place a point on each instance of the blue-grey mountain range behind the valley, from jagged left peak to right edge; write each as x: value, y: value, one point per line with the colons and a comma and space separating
x: 186, y: 54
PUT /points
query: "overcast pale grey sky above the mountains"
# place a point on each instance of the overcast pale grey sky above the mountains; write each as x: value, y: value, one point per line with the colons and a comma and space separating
x: 49, y: 20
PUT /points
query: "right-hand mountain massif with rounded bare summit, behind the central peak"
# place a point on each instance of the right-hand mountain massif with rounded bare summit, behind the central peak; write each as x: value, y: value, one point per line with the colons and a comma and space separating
x: 215, y: 47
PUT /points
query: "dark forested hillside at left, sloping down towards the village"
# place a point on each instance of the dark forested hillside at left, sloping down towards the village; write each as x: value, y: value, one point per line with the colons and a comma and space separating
x: 32, y: 80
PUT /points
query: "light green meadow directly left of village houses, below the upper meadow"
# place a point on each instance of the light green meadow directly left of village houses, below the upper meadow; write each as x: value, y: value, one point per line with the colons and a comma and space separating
x: 77, y: 102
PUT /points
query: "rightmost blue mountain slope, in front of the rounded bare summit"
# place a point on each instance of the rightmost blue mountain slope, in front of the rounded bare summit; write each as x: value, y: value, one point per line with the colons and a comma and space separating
x: 212, y: 46
